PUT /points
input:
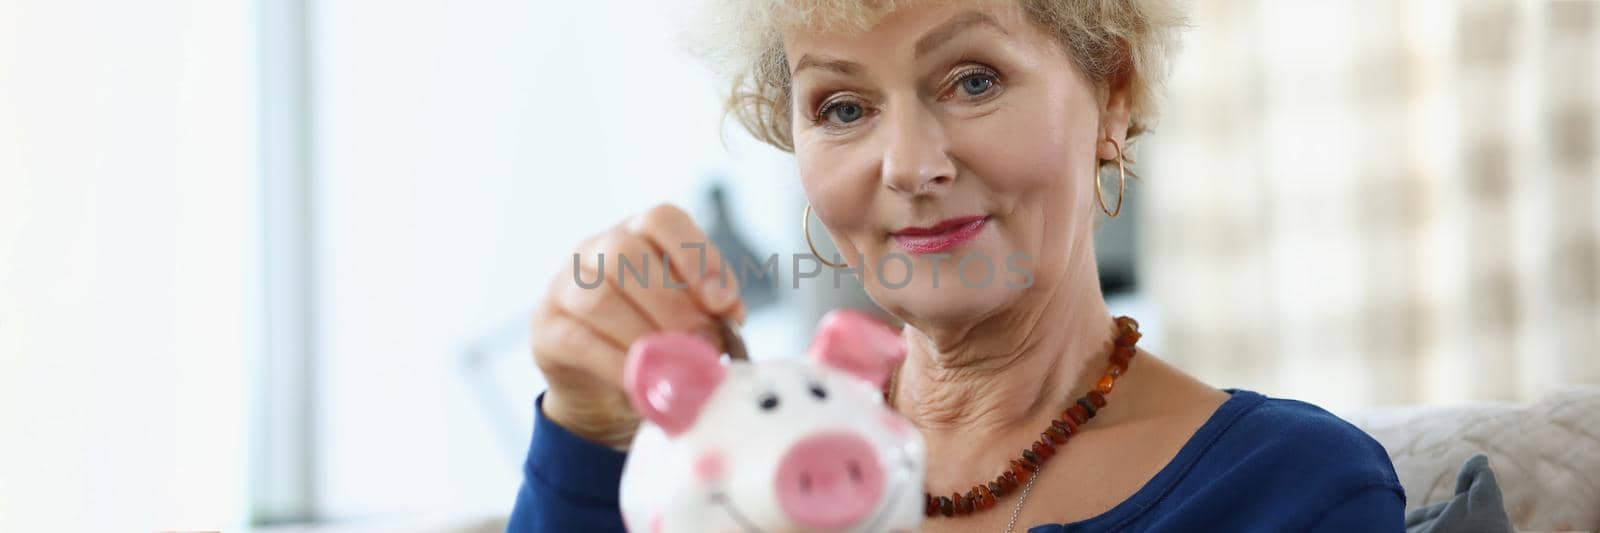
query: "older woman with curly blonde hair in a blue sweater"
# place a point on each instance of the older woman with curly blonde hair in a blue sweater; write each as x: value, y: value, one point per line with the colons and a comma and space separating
x: 938, y: 130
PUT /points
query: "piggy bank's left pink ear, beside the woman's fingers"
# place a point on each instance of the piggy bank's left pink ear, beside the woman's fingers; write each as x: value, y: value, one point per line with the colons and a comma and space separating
x: 670, y: 377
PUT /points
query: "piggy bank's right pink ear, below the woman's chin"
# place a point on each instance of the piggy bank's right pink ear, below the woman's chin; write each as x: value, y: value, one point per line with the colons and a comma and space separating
x: 860, y: 345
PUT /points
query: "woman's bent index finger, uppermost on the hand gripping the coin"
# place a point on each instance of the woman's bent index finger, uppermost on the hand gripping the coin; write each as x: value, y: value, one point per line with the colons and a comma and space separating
x: 692, y: 257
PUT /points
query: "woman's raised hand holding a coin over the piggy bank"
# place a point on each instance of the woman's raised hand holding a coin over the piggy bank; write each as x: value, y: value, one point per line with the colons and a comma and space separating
x: 582, y: 334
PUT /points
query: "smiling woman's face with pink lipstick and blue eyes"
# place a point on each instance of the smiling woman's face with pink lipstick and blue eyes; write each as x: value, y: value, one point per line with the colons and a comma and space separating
x: 958, y: 142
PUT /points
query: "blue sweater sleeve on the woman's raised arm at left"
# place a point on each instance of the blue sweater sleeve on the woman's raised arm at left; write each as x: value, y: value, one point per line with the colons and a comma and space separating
x: 569, y: 484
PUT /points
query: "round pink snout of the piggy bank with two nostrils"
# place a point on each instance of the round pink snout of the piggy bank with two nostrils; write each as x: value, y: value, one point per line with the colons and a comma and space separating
x: 830, y: 481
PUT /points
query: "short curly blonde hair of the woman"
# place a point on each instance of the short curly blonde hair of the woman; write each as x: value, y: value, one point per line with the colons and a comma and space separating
x: 1110, y: 41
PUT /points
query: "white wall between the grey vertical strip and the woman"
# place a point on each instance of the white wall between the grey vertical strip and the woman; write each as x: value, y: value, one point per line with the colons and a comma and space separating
x: 463, y: 150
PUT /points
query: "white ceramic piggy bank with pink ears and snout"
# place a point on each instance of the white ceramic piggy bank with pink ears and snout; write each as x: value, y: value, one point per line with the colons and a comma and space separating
x: 786, y: 446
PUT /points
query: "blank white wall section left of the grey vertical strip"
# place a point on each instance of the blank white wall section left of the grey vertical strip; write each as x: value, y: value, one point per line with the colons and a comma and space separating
x: 127, y: 263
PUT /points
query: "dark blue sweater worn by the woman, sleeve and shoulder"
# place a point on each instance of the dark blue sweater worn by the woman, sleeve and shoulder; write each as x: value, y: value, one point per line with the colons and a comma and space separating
x: 1257, y: 465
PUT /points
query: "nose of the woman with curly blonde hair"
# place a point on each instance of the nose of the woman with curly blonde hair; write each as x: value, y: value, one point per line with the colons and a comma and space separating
x: 916, y: 156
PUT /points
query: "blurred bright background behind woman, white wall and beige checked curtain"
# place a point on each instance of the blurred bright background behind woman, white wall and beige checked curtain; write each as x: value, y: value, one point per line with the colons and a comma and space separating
x: 268, y: 263
